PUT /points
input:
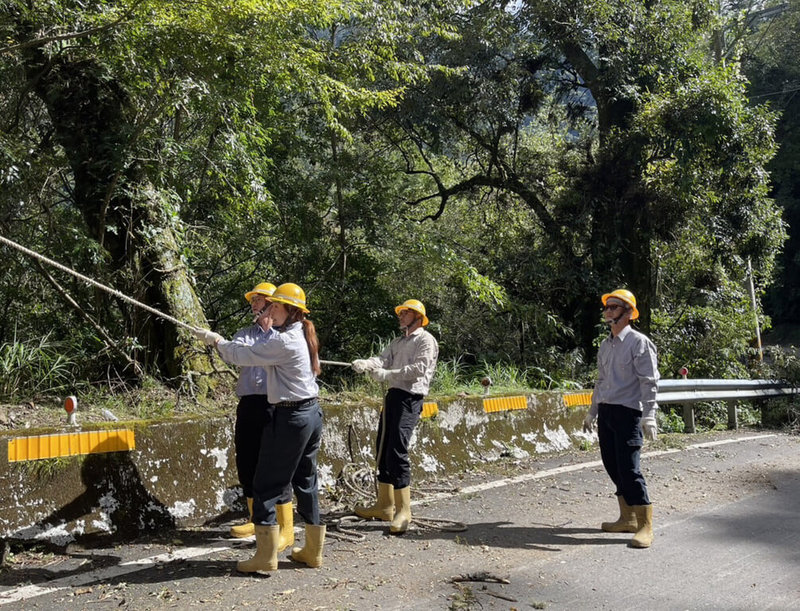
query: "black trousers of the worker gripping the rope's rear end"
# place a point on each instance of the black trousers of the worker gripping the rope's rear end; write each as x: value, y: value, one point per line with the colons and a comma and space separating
x: 400, y: 415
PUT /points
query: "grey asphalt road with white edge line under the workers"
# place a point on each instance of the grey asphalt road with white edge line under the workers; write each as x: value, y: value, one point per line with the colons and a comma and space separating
x: 727, y: 536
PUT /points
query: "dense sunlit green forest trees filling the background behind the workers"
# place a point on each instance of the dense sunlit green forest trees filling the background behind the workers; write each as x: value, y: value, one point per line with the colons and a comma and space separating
x: 506, y: 163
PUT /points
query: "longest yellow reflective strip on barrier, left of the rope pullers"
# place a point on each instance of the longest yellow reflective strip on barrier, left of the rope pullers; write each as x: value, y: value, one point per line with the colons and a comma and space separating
x: 70, y: 444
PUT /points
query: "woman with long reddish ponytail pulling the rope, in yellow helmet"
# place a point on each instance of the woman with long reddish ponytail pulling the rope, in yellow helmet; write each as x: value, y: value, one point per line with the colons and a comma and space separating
x: 290, y: 445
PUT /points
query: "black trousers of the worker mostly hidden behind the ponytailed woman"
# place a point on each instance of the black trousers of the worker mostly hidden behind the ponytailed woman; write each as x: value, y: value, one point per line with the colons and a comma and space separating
x: 252, y: 414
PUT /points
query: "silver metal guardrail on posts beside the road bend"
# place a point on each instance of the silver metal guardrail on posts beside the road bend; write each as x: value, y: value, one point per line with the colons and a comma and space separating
x: 688, y: 392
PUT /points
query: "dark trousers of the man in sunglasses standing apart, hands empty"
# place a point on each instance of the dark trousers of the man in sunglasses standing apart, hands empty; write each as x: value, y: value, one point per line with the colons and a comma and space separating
x: 620, y: 434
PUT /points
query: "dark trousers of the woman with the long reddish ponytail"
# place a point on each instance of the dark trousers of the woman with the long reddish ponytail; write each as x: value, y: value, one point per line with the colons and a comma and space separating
x: 288, y: 460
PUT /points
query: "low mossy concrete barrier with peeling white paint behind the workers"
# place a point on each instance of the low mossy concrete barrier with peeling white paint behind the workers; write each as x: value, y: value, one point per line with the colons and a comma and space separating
x: 181, y: 472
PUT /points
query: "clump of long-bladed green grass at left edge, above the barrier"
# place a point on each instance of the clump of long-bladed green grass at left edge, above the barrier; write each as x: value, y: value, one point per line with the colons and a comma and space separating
x: 34, y: 368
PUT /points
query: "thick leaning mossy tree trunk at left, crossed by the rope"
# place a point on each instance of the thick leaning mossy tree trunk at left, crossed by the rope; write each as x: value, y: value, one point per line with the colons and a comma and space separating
x: 130, y: 219
